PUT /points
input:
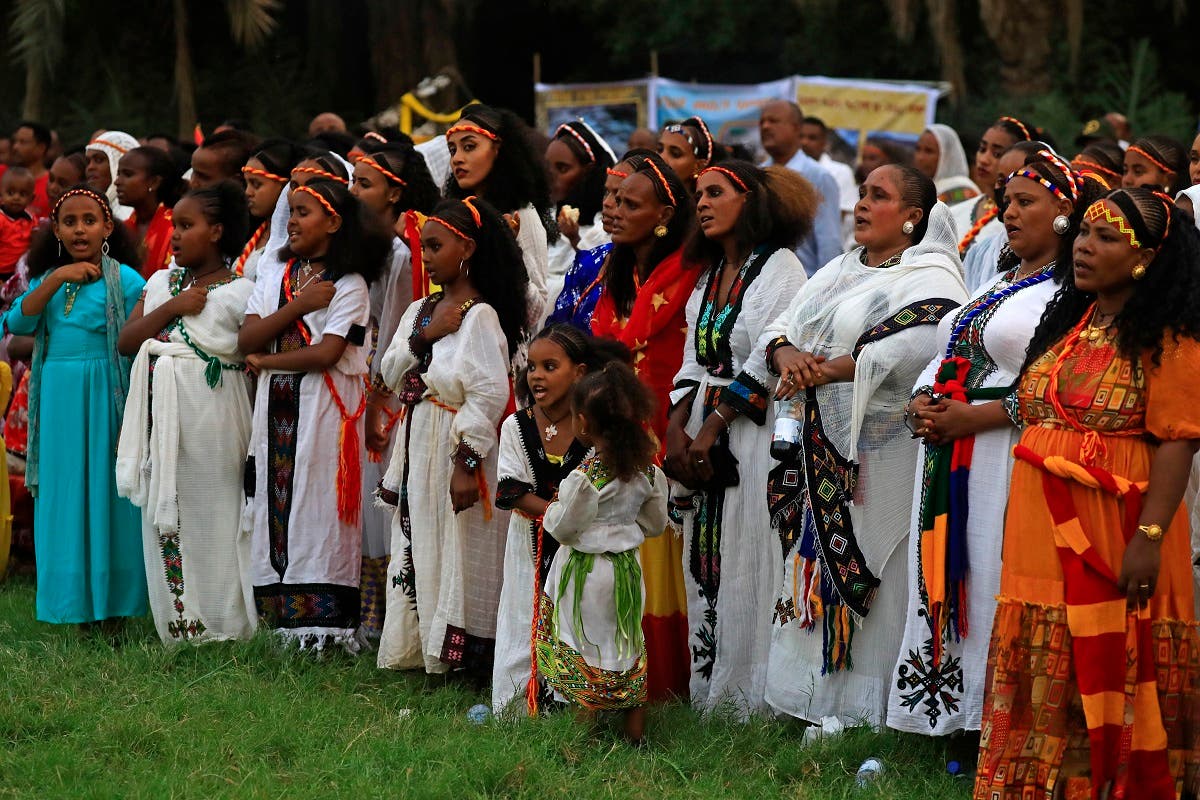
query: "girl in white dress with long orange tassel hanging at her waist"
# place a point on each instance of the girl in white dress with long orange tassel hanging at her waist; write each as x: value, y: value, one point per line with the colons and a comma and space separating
x: 304, y: 335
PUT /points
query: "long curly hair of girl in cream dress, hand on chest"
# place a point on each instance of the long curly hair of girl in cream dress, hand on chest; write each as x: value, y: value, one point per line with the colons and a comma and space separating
x: 499, y: 272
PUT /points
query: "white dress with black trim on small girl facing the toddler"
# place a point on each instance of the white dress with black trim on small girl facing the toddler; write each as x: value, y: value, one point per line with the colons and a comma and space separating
x: 524, y: 468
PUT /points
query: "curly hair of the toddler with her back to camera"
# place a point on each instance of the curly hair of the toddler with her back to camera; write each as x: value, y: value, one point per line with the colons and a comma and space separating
x: 619, y: 410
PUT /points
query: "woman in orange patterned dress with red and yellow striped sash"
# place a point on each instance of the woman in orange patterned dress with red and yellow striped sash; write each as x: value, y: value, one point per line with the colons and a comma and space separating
x: 1095, y: 657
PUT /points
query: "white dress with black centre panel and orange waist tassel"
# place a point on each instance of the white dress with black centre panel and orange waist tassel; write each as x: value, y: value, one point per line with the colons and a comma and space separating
x: 305, y: 558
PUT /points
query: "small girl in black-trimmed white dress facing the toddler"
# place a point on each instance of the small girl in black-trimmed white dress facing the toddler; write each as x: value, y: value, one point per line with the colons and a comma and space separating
x: 538, y: 450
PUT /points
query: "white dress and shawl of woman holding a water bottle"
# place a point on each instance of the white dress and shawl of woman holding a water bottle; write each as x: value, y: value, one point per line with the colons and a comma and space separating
x: 826, y: 658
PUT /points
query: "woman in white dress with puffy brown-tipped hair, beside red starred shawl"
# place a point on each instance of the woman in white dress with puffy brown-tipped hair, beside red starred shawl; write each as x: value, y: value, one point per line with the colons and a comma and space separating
x: 749, y: 224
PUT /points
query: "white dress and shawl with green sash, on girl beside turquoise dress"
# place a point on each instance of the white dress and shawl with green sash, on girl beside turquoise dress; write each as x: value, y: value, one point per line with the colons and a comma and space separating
x: 185, y: 472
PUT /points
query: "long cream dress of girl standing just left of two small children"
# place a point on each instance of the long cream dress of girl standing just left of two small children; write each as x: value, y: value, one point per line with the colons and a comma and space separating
x: 446, y: 572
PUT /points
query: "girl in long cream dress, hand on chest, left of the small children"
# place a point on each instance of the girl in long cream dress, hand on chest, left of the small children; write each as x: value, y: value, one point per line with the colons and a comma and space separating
x: 452, y: 375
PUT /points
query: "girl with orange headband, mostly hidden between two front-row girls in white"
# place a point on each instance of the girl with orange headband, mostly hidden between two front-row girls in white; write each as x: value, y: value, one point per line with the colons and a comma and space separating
x: 392, y: 182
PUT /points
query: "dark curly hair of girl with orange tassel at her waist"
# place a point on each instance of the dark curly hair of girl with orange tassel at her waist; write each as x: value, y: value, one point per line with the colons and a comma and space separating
x: 361, y: 246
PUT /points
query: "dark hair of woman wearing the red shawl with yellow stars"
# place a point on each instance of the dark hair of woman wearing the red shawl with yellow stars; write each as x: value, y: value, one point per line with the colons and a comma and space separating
x: 620, y: 272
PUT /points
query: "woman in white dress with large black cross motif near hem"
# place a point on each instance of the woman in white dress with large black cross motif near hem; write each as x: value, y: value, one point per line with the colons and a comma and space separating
x: 956, y: 538
